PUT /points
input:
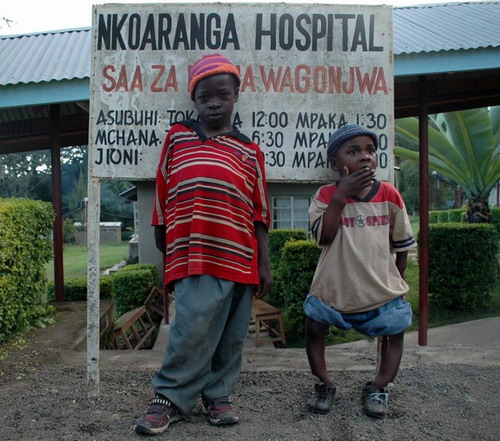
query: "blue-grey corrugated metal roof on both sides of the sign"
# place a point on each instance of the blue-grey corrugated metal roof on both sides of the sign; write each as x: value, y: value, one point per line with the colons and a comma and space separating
x: 447, y: 28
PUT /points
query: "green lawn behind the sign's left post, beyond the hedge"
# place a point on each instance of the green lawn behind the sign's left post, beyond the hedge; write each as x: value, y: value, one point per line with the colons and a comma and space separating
x: 75, y: 258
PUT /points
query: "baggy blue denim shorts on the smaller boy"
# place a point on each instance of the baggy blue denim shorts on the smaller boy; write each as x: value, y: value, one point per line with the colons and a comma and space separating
x: 389, y: 319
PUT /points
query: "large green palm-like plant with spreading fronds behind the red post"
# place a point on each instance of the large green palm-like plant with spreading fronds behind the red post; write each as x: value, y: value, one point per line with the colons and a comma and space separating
x: 464, y: 146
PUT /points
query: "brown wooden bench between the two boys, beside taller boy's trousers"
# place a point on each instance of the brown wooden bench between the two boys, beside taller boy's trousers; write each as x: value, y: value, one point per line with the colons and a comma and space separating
x: 264, y: 316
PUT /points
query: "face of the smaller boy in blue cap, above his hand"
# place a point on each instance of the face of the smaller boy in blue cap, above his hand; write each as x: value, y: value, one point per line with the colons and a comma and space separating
x: 355, y: 154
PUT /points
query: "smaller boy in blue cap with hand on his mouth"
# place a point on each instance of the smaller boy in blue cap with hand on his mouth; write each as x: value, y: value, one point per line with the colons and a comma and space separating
x: 359, y: 222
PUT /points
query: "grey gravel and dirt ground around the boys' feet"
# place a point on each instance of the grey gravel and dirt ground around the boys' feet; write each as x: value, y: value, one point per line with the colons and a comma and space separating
x: 43, y: 396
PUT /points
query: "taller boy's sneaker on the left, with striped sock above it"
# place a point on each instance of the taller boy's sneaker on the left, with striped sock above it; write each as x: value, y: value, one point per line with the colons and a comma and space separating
x: 160, y: 413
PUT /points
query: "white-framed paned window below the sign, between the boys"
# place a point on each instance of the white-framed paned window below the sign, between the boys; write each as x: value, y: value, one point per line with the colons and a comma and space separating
x: 291, y: 212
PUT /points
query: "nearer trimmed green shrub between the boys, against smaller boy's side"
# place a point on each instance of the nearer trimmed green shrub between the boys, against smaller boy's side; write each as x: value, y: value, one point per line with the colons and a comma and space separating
x: 295, y: 273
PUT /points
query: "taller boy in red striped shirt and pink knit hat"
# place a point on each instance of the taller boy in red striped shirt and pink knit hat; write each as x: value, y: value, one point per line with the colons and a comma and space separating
x: 211, y: 217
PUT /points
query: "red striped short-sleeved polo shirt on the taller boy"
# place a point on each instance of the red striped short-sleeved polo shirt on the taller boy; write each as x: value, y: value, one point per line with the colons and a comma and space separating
x: 209, y: 193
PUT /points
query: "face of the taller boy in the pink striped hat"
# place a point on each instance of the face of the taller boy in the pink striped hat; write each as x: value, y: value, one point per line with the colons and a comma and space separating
x: 214, y: 100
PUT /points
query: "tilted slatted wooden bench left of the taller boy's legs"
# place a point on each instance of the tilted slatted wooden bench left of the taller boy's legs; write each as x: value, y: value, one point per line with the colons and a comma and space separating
x: 132, y: 329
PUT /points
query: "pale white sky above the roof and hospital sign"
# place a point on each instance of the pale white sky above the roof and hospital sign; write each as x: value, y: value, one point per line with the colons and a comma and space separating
x: 27, y: 16
